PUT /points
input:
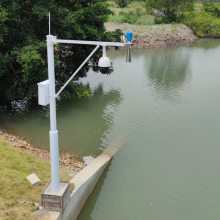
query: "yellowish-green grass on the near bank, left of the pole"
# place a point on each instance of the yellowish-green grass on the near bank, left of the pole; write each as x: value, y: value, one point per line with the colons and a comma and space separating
x: 15, y: 165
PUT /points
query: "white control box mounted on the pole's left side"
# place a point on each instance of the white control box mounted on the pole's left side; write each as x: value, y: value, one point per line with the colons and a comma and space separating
x: 43, y: 93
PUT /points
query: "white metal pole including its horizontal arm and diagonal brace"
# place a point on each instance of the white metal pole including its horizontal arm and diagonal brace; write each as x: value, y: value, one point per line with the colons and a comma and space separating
x: 54, y: 146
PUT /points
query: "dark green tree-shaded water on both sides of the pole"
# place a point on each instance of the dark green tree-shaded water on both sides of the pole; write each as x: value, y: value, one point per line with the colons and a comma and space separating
x: 81, y: 122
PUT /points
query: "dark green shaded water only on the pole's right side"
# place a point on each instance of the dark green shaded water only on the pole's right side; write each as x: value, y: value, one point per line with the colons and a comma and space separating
x: 83, y: 123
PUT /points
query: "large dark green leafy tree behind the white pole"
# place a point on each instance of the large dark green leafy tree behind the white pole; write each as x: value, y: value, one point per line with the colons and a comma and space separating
x: 24, y: 26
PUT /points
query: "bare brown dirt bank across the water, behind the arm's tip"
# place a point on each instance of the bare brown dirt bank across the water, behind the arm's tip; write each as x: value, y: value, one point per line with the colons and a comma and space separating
x: 156, y: 36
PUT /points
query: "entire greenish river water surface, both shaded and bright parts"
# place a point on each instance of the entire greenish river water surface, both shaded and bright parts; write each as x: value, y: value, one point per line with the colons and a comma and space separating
x: 163, y: 111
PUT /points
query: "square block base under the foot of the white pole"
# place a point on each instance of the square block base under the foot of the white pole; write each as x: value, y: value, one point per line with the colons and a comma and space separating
x: 56, y: 202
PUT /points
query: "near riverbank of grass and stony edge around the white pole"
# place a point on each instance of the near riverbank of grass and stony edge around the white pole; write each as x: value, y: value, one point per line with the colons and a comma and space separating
x: 18, y: 198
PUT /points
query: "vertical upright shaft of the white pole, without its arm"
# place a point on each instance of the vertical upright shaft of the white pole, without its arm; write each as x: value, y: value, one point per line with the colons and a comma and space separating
x: 54, y: 148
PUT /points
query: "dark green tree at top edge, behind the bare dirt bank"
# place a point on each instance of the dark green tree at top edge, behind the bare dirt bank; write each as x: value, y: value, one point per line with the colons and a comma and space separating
x: 170, y: 8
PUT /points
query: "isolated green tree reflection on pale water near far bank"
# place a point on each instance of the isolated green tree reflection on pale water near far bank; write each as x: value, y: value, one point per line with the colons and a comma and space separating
x: 168, y: 71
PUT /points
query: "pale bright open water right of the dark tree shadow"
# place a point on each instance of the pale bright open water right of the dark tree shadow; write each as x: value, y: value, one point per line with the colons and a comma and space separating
x: 164, y: 167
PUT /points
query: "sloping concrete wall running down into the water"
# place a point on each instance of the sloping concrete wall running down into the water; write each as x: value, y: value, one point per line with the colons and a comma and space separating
x: 84, y: 183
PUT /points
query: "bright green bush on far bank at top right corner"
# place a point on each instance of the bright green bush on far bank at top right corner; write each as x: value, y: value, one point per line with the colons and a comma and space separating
x: 204, y: 23
